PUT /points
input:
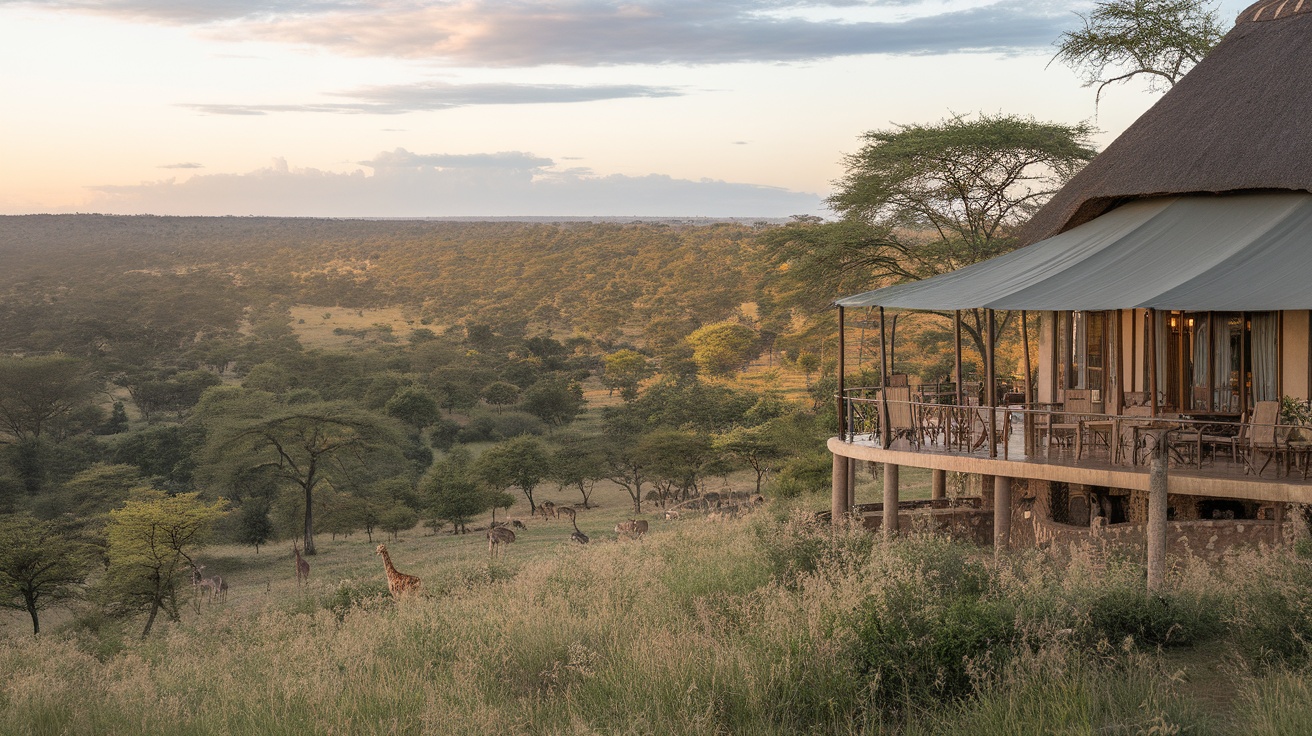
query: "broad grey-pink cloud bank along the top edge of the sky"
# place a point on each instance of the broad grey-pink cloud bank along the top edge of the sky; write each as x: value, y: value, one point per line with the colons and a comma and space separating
x: 613, y: 32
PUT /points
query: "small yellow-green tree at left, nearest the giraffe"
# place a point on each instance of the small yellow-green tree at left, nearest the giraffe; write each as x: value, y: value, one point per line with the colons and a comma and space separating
x: 152, y: 542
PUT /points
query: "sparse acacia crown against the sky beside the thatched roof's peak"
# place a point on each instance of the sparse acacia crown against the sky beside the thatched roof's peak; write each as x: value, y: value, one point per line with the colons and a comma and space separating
x: 1126, y: 39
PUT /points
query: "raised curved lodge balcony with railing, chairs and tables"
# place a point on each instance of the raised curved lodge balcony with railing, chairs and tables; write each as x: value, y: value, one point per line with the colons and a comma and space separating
x: 1208, y: 455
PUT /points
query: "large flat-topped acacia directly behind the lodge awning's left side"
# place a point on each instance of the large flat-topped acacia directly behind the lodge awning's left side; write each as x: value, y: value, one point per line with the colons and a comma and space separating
x: 924, y: 200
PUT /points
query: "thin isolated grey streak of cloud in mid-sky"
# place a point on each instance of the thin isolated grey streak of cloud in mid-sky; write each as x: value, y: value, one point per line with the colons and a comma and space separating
x: 438, y: 96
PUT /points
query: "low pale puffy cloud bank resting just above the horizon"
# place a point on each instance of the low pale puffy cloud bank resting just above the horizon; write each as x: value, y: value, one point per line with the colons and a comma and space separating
x: 447, y: 186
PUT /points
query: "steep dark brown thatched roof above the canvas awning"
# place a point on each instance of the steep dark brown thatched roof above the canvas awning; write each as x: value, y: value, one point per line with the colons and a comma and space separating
x: 1239, y: 121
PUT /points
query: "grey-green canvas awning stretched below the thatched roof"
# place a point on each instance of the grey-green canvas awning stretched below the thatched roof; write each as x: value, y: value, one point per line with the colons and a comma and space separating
x: 1239, y: 253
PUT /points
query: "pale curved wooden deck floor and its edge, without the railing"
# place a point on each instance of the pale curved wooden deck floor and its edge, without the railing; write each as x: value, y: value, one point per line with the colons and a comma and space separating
x: 1220, y: 477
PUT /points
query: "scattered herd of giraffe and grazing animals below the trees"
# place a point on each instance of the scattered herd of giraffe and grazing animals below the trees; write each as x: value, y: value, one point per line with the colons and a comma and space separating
x: 501, y: 536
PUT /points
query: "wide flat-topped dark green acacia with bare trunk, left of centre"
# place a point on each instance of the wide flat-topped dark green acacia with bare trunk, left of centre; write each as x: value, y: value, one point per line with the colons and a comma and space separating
x: 308, y: 445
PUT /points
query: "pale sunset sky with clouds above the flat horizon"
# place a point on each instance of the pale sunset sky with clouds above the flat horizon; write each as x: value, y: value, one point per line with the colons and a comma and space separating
x: 502, y: 108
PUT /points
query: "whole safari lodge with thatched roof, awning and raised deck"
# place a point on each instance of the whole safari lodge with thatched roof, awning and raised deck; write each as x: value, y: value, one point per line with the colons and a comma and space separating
x: 1171, y: 281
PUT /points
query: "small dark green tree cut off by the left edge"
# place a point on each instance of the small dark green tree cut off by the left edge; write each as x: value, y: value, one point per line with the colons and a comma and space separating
x: 41, y: 565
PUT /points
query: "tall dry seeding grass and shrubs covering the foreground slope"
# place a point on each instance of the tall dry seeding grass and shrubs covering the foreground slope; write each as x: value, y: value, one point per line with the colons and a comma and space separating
x: 758, y: 626
